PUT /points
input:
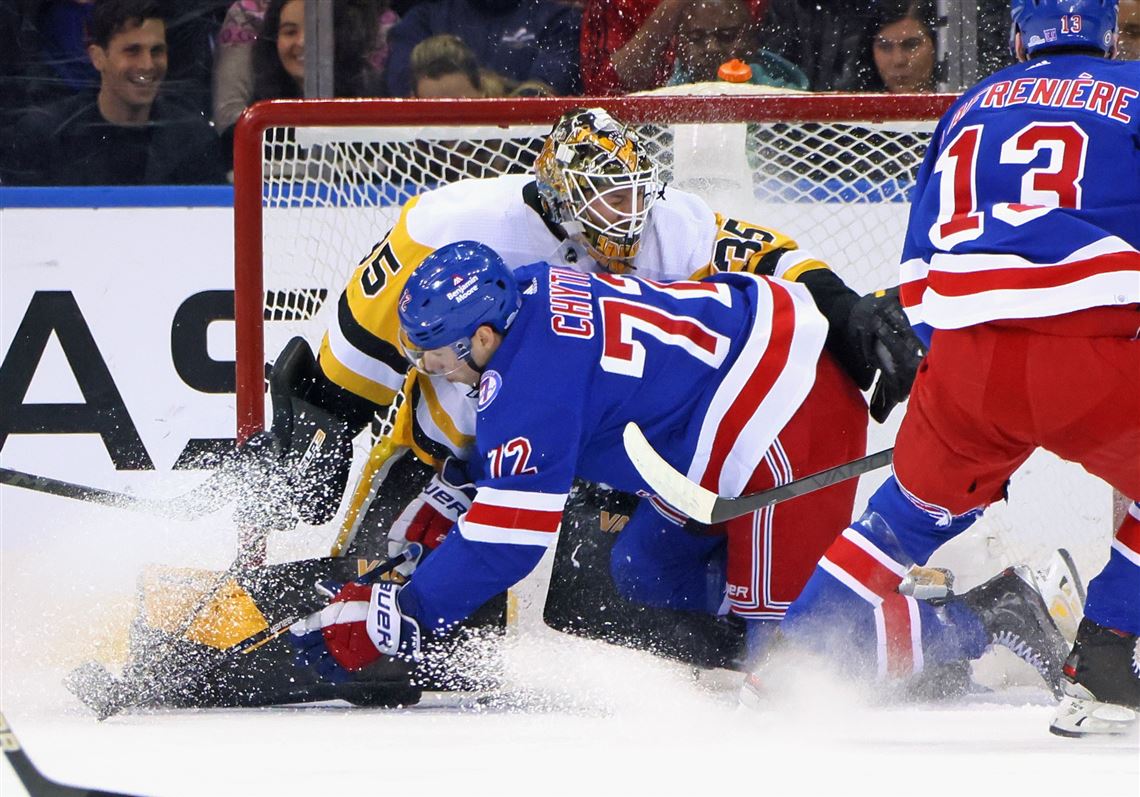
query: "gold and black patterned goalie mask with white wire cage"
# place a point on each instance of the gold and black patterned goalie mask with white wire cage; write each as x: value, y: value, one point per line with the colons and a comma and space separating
x: 598, y: 184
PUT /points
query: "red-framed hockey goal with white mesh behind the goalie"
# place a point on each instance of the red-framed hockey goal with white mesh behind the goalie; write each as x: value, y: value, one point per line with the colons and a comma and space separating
x: 319, y: 183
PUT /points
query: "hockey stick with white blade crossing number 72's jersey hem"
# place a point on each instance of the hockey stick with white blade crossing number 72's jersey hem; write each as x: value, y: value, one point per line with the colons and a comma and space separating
x: 707, y: 507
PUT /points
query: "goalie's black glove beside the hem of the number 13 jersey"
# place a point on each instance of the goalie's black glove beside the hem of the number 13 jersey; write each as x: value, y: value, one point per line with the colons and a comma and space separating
x: 889, y: 346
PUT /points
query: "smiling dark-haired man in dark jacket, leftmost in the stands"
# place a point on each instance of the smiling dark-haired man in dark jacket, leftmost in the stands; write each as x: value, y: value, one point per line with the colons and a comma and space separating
x: 127, y: 134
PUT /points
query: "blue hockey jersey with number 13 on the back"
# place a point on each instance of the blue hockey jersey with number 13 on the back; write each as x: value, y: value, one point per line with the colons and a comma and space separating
x: 1029, y: 201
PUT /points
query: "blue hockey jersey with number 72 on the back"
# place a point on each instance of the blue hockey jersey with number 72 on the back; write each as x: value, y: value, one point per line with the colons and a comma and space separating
x: 712, y: 371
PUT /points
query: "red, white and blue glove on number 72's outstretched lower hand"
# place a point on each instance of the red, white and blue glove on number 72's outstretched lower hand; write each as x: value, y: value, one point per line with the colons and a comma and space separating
x: 362, y: 625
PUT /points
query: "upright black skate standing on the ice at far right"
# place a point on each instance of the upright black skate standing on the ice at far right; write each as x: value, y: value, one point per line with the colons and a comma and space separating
x: 1102, y: 684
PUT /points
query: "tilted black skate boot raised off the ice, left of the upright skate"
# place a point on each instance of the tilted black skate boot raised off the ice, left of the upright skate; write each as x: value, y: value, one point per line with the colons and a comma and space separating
x: 1015, y: 615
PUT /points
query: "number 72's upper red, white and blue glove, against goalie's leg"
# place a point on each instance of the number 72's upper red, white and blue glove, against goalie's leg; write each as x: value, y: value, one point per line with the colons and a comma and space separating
x: 430, y: 517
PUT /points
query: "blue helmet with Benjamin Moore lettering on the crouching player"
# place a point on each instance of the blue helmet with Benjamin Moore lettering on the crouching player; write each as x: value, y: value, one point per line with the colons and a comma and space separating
x: 457, y: 289
